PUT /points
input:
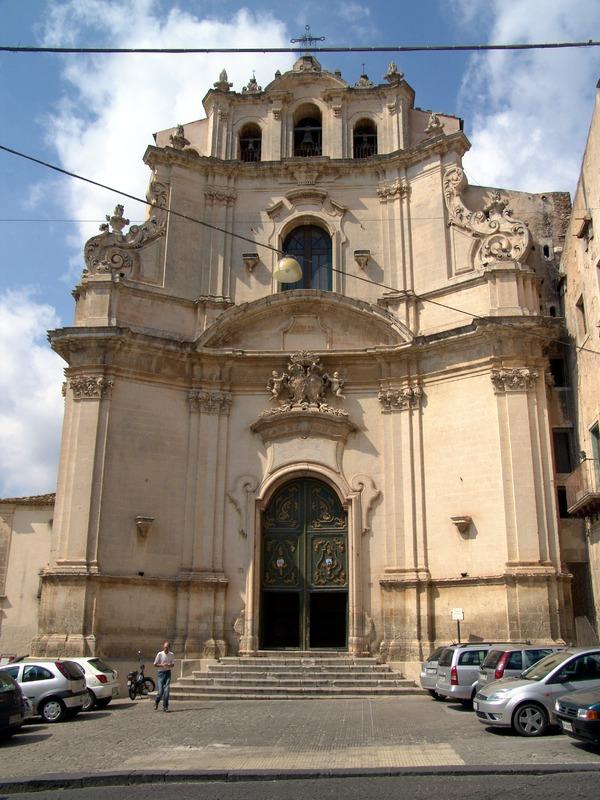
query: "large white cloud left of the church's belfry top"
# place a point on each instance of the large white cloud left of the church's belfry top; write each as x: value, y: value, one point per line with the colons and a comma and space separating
x: 113, y: 103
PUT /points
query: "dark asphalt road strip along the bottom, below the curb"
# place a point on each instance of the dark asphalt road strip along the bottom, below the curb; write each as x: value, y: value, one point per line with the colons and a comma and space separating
x: 487, y: 787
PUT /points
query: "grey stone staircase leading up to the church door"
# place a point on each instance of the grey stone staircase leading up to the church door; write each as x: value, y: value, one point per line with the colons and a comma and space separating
x: 281, y: 676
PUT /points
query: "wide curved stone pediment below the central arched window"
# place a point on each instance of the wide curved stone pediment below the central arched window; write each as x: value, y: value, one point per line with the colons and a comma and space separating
x: 305, y: 319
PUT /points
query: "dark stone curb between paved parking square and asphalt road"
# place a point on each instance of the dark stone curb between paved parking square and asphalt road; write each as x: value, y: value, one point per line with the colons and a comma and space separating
x: 138, y: 777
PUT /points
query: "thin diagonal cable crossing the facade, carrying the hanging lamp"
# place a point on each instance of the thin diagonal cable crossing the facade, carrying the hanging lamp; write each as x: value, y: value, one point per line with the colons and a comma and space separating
x: 167, y: 210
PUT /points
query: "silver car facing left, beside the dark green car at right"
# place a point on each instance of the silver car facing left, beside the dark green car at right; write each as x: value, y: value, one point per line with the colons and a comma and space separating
x: 527, y: 703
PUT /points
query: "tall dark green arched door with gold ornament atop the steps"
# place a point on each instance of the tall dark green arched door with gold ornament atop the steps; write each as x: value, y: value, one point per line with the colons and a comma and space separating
x: 304, y: 568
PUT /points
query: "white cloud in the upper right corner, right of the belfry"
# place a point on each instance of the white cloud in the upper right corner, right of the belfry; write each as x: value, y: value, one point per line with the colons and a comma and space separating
x: 527, y: 113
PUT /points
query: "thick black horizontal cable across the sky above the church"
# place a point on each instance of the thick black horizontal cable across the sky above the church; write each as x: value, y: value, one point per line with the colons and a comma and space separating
x: 421, y: 48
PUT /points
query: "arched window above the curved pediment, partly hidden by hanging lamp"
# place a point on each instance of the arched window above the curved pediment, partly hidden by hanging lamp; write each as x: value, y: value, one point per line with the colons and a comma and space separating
x: 311, y: 246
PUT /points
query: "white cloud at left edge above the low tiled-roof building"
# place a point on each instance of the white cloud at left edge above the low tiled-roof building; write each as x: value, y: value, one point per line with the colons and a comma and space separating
x: 30, y: 398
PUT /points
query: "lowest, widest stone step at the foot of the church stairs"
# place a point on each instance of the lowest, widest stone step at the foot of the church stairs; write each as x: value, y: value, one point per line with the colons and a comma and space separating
x: 283, y: 692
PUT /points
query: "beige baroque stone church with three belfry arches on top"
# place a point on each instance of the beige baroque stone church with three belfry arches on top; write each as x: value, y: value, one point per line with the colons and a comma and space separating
x: 334, y: 463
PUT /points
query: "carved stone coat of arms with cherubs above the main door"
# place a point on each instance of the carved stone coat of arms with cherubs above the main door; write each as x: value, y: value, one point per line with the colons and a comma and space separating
x: 304, y: 385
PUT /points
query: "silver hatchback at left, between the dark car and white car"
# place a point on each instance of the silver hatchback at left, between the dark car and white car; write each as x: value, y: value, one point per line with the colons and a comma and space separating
x: 55, y: 687
